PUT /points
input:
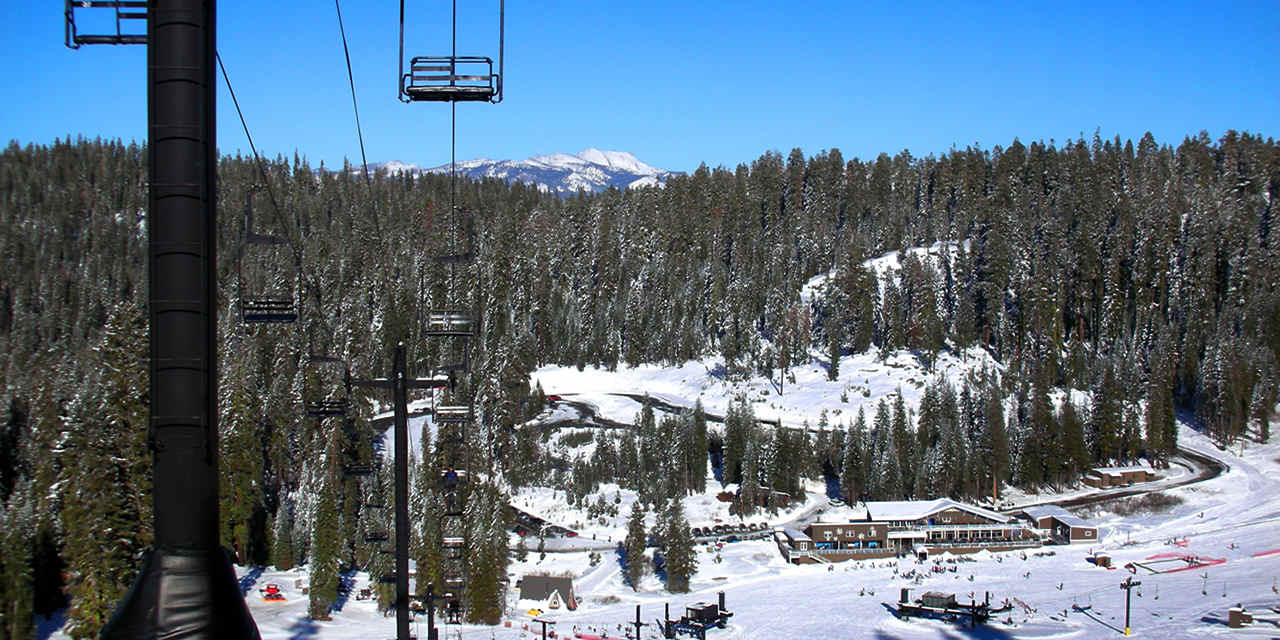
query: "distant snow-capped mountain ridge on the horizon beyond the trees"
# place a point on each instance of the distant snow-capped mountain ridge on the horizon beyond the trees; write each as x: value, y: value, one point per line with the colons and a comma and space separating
x: 592, y: 171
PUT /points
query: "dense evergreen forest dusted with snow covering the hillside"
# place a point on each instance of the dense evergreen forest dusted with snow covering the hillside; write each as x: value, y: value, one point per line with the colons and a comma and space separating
x: 1118, y: 285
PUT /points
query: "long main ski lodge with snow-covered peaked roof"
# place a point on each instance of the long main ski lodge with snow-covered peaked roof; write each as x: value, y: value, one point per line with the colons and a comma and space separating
x: 889, y: 529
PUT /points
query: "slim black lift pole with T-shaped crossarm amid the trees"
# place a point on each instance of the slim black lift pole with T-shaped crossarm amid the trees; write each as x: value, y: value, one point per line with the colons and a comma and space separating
x: 400, y: 383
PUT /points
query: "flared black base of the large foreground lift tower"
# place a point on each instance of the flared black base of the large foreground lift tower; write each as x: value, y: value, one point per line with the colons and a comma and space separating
x: 181, y: 597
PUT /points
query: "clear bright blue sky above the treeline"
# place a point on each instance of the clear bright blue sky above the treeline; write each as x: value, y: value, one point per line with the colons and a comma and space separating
x: 679, y: 84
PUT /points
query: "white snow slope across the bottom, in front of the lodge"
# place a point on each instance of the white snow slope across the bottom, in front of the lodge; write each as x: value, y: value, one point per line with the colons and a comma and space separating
x: 1232, y: 518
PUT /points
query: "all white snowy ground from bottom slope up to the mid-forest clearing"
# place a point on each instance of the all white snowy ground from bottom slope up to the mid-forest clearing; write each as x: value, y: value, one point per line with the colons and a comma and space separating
x: 1232, y: 518
